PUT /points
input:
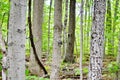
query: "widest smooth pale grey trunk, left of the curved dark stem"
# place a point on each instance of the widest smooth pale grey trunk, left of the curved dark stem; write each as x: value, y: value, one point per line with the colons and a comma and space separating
x: 16, y: 40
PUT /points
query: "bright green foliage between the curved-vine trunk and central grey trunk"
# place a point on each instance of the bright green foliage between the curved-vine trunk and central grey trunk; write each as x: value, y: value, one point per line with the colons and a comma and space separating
x: 45, y: 29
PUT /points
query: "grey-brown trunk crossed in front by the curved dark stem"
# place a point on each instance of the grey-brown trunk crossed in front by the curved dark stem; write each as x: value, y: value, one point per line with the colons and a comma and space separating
x: 37, y: 35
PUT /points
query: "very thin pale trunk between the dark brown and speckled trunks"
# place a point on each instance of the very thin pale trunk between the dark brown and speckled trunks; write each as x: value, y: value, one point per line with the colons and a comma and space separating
x: 81, y: 39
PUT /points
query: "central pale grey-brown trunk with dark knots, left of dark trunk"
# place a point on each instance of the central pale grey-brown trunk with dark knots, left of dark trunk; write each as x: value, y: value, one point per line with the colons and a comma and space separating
x: 57, y: 40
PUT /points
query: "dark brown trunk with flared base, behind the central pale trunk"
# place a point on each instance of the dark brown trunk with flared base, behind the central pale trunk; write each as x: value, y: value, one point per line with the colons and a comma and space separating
x: 69, y: 57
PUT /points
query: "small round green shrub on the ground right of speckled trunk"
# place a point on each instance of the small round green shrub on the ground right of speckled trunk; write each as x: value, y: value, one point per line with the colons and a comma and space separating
x: 113, y: 67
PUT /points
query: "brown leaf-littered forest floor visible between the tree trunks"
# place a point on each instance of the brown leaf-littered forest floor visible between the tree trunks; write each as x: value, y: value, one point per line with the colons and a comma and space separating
x: 71, y: 71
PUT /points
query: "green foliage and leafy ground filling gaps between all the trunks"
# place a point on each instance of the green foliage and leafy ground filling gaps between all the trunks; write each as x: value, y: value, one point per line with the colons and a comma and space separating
x: 112, y: 40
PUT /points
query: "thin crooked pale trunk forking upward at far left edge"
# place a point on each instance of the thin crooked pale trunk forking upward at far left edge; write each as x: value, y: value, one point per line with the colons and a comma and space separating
x: 3, y: 48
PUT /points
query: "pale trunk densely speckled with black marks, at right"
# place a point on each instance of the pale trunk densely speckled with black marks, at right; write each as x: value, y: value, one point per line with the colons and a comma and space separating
x: 97, y: 41
